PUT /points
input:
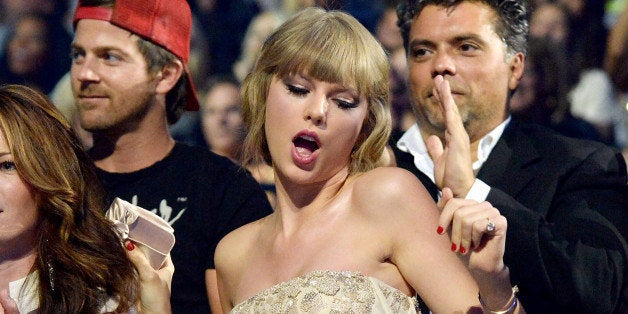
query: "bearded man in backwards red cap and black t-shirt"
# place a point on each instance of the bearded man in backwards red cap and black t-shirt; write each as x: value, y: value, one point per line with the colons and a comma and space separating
x: 130, y: 80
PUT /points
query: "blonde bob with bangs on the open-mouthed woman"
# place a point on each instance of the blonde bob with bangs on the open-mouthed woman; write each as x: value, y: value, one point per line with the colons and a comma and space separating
x: 330, y: 46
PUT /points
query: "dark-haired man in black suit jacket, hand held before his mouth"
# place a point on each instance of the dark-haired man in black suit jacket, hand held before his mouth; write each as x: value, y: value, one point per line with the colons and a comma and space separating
x: 565, y: 200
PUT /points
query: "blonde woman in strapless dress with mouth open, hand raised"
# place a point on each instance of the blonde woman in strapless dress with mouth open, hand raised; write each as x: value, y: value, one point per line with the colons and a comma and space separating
x: 346, y: 235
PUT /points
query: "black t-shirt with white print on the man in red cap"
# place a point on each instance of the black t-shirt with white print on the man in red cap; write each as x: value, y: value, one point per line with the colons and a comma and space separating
x: 203, y: 196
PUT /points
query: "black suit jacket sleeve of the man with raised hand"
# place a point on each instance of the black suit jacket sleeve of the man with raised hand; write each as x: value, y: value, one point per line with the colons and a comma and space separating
x: 572, y: 258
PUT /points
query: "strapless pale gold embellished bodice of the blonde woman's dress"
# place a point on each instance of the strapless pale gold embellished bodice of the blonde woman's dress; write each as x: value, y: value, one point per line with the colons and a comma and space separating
x: 329, y: 292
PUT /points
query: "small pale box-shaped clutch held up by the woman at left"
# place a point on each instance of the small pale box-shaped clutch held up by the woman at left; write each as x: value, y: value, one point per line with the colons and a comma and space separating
x: 141, y: 226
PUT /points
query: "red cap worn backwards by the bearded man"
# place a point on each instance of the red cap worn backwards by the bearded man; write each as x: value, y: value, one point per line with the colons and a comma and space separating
x: 167, y: 23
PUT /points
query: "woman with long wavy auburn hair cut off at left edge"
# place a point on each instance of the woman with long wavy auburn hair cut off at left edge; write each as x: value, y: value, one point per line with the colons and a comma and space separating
x: 58, y: 252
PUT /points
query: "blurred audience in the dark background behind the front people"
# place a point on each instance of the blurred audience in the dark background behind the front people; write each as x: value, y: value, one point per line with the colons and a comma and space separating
x: 575, y: 81
